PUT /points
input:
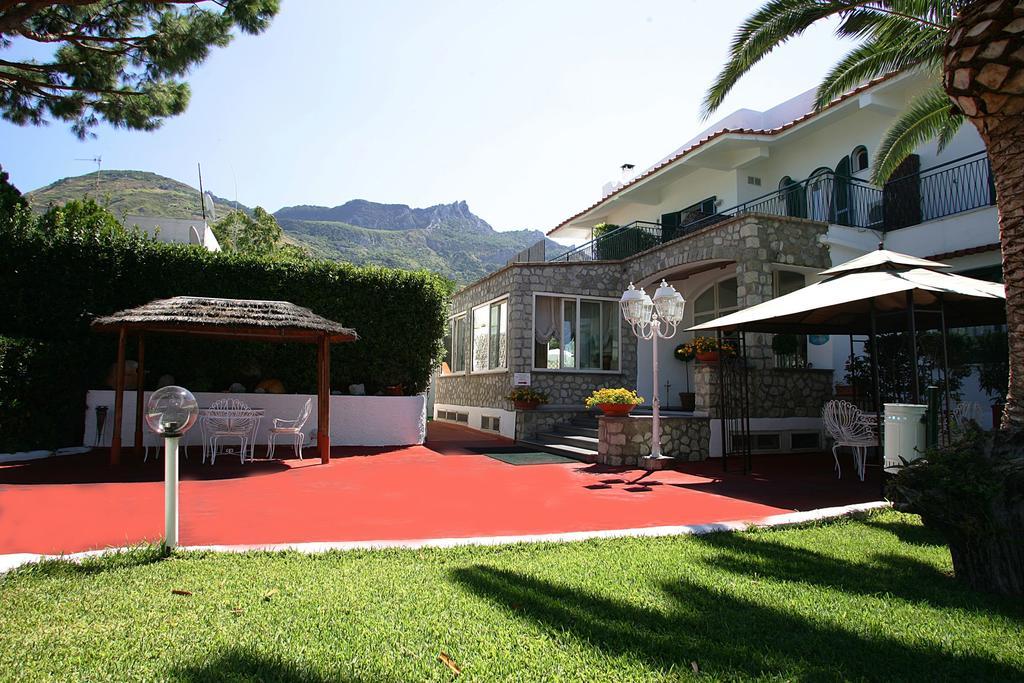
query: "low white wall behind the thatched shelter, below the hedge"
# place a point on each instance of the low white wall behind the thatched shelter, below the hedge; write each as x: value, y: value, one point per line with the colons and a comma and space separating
x: 355, y: 420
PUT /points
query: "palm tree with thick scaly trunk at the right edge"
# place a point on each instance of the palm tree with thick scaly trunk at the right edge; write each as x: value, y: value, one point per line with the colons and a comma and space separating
x: 975, y: 52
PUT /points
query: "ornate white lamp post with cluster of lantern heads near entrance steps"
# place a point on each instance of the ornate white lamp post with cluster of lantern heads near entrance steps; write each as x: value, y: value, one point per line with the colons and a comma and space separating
x: 652, y: 320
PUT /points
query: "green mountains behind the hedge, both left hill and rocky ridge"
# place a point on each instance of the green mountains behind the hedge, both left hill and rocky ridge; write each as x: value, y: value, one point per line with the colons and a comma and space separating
x: 448, y: 239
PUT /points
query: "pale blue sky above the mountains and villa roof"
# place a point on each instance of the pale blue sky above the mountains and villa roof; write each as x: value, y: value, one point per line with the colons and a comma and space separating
x: 524, y: 110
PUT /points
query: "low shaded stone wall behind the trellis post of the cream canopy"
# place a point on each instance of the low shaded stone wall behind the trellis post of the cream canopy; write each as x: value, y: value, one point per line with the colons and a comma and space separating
x: 774, y: 393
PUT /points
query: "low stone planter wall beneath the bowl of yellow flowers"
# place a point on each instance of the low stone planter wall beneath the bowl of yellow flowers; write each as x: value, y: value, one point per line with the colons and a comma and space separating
x: 624, y: 442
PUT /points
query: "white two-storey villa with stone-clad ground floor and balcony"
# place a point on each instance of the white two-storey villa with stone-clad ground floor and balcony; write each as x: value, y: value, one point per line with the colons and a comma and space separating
x: 791, y: 182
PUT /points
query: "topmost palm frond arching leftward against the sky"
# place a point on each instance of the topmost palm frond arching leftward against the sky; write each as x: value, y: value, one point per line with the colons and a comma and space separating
x: 779, y: 21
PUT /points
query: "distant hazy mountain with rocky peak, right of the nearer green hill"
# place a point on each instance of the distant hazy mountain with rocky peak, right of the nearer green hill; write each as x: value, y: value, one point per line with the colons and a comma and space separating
x: 448, y: 238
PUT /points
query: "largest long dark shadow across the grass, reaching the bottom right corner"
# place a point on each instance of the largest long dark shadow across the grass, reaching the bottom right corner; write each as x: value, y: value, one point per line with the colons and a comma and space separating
x: 728, y: 635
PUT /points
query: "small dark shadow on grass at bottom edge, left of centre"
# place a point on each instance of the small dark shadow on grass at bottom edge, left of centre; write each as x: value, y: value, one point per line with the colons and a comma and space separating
x: 238, y: 665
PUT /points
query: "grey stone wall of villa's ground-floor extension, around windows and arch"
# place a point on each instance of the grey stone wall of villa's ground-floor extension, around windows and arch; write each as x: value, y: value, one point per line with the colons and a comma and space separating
x: 756, y: 243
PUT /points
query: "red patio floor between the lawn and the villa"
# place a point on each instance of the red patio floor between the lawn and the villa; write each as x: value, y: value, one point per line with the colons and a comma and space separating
x: 442, y: 490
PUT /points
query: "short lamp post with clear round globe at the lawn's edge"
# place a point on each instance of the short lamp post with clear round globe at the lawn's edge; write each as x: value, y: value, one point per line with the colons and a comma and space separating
x: 172, y: 412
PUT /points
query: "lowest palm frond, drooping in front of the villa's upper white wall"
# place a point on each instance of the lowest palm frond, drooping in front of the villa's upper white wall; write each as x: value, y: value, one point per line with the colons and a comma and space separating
x: 930, y: 115
